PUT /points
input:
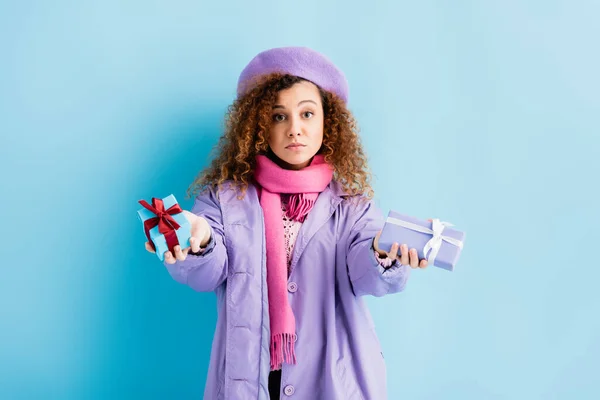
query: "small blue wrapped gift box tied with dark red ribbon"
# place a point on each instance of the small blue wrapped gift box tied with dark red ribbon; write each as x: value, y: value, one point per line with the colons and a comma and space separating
x: 165, y: 225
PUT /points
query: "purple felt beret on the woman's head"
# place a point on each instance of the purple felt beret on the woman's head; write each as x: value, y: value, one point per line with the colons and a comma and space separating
x: 298, y: 61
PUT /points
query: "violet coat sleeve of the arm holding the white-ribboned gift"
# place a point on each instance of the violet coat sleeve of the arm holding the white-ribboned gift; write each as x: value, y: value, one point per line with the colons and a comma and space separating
x: 367, y: 275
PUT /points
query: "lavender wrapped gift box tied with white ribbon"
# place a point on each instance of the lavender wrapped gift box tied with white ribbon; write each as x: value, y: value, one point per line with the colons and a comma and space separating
x: 434, y: 240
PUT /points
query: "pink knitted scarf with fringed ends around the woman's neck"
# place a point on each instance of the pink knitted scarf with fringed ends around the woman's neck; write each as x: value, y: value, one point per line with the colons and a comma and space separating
x: 304, y: 187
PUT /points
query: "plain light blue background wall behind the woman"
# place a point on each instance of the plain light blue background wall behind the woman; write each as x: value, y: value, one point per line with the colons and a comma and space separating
x: 484, y: 114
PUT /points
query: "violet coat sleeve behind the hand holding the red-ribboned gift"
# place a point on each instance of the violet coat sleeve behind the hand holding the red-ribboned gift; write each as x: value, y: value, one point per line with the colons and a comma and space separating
x: 207, y: 270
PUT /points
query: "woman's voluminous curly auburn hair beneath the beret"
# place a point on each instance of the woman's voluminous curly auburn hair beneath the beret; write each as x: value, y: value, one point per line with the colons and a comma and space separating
x: 247, y: 125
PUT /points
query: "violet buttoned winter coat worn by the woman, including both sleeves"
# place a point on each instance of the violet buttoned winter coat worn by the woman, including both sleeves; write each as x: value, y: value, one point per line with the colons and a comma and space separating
x: 338, y: 353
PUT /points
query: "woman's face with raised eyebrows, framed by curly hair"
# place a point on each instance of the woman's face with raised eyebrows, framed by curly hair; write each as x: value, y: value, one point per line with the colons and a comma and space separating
x: 296, y: 132
